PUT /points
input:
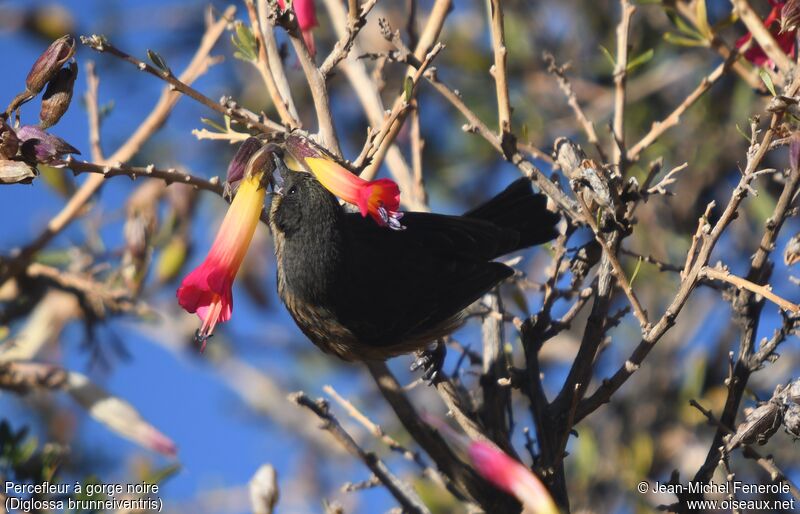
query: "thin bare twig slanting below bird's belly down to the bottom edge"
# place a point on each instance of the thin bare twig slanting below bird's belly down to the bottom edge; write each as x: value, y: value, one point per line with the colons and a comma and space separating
x: 402, y: 492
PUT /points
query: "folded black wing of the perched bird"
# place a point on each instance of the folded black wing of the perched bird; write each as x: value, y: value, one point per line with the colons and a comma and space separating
x: 409, y: 282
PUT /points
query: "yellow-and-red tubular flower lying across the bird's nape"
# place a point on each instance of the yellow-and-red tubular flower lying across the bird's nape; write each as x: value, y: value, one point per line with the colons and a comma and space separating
x: 379, y: 198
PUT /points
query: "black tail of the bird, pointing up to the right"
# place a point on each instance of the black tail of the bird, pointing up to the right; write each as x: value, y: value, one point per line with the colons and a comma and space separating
x: 517, y: 207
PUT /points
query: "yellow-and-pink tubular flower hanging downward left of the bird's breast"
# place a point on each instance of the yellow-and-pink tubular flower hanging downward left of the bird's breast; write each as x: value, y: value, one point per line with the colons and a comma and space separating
x: 207, y: 289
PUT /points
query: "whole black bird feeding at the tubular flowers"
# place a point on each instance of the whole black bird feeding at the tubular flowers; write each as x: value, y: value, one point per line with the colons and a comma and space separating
x: 364, y: 292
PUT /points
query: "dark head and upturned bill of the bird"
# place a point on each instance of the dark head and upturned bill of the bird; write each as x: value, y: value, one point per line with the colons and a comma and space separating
x: 299, y: 202
